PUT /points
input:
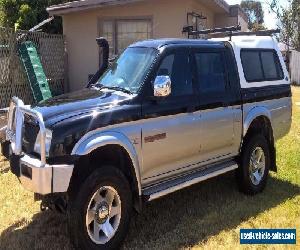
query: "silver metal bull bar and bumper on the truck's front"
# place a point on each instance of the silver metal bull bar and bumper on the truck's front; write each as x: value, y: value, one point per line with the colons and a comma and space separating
x: 34, y: 173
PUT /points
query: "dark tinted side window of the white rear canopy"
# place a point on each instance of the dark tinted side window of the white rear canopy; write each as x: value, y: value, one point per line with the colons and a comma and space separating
x: 261, y: 65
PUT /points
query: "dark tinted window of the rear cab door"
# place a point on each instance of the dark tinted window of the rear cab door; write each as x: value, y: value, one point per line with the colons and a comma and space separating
x: 210, y: 72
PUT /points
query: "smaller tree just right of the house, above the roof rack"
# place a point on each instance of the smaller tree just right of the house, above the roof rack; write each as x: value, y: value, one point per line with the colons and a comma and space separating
x: 255, y: 14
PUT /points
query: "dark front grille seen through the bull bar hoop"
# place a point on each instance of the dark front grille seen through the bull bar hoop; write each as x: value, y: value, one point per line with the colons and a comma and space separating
x: 30, y: 132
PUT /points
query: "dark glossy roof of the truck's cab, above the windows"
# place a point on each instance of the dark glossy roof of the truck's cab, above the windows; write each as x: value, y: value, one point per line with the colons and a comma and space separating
x: 159, y: 43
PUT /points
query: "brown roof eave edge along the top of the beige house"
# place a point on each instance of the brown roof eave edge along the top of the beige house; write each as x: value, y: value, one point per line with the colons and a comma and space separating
x: 75, y: 6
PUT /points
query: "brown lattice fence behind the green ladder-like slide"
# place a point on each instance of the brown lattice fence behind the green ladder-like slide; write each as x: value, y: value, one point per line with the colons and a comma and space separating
x: 13, y: 80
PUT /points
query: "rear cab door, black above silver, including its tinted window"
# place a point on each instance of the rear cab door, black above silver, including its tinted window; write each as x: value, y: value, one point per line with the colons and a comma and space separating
x: 217, y: 114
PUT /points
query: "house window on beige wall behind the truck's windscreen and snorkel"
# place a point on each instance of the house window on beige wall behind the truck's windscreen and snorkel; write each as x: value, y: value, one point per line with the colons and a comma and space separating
x: 121, y: 33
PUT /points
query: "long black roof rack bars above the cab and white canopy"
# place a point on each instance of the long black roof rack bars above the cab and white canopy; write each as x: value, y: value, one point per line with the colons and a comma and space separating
x: 228, y: 31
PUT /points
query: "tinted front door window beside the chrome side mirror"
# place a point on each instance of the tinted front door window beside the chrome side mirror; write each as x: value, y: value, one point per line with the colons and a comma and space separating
x: 177, y: 67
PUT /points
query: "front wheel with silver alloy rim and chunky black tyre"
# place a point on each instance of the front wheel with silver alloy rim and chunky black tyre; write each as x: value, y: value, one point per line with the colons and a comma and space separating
x: 99, y: 215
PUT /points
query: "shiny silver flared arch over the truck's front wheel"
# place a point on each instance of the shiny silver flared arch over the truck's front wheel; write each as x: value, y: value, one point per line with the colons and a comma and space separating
x: 95, y: 140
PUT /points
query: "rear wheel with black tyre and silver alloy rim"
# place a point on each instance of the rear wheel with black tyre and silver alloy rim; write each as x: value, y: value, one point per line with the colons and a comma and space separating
x: 253, y: 171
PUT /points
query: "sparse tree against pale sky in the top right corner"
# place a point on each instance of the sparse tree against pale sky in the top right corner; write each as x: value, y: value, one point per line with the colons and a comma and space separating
x: 289, y: 21
